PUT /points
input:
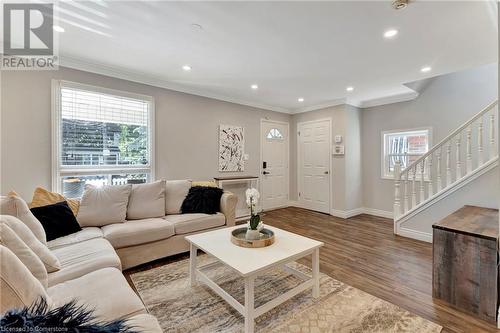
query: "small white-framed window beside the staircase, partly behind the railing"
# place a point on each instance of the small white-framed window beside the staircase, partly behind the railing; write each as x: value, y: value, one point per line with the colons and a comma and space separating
x: 405, y: 146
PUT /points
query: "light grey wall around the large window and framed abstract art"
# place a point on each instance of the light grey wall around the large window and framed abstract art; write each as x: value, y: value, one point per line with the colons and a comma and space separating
x: 186, y: 128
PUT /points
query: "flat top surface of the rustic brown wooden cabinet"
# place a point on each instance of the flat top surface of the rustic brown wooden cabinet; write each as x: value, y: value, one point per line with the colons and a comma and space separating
x: 478, y: 221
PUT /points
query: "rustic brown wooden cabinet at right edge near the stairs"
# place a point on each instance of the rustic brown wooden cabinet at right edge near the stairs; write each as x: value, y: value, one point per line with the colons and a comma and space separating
x: 465, y: 261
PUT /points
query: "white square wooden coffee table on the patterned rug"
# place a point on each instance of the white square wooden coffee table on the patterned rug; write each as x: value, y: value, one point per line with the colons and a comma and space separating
x: 249, y: 263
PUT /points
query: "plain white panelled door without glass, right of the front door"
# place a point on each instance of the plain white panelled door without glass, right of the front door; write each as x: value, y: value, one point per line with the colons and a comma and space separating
x: 314, y: 145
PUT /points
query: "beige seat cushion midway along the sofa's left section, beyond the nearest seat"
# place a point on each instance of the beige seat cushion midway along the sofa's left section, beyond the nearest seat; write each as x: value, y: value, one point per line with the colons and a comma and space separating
x: 82, y: 258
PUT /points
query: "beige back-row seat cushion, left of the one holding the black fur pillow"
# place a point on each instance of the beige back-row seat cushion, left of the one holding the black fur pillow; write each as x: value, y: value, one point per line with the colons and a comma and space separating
x: 137, y: 232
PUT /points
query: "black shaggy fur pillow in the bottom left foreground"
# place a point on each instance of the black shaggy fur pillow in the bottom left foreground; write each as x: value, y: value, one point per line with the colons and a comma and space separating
x: 69, y: 317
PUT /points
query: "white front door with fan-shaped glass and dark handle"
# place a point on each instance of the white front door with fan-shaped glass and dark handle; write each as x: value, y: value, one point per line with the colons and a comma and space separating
x: 274, y: 164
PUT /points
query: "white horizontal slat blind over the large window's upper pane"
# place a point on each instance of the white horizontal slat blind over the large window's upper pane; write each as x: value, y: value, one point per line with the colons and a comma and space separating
x: 100, y: 129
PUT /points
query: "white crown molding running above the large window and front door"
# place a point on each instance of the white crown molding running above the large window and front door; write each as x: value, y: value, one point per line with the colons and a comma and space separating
x: 120, y: 73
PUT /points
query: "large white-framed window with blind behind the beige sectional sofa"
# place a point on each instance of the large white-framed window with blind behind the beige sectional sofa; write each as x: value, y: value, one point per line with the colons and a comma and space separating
x: 101, y: 137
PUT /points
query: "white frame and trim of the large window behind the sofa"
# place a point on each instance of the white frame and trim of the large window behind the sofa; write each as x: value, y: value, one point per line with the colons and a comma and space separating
x: 59, y: 171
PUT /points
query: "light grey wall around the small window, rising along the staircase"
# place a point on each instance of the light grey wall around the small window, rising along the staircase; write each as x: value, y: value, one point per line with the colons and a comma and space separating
x: 444, y: 104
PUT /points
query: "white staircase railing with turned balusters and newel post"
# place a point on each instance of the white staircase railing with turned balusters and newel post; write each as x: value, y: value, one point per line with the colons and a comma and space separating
x: 467, y: 153
